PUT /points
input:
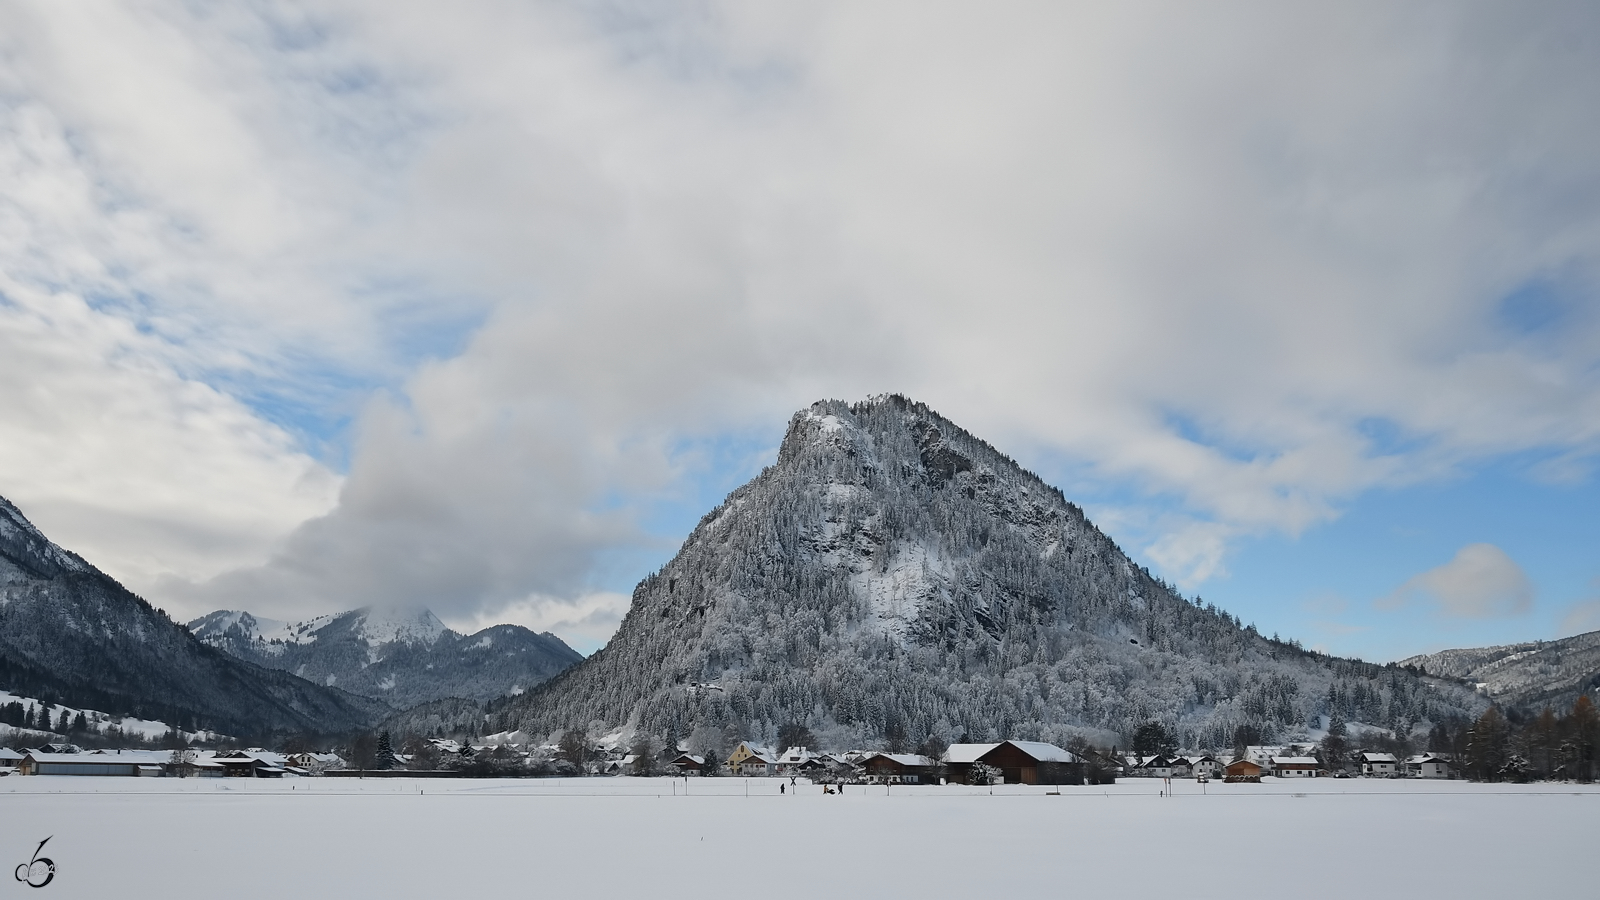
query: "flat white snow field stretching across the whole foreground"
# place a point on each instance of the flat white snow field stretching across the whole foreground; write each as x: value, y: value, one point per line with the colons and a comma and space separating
x: 647, y: 838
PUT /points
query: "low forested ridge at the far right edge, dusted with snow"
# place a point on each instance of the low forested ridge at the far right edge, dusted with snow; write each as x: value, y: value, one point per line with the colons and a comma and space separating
x: 1532, y: 675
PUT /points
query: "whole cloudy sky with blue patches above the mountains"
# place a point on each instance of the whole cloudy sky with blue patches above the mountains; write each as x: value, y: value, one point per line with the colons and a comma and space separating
x: 484, y: 305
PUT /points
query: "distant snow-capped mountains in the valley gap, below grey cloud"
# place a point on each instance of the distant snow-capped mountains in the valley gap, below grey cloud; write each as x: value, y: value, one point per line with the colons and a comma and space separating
x: 401, y: 657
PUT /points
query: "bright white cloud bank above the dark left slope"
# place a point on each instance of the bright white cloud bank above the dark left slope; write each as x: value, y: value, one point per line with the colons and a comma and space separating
x: 111, y: 452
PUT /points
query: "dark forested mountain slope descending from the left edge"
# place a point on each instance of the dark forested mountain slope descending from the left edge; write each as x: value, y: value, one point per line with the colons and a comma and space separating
x: 74, y: 637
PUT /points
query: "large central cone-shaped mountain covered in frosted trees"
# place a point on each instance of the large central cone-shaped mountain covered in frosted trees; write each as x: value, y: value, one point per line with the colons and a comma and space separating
x: 895, y: 577
